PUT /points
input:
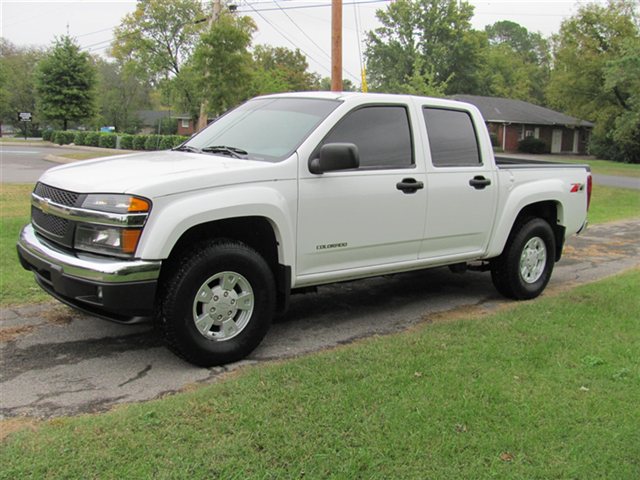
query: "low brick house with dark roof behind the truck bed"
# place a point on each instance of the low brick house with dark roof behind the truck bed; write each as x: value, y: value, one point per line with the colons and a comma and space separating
x: 512, y: 120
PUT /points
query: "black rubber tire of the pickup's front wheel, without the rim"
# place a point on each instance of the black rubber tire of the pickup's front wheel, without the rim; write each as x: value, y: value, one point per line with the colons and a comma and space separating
x: 213, y: 259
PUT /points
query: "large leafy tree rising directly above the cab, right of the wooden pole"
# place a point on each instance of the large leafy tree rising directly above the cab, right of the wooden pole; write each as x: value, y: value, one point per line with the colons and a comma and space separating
x: 430, y: 42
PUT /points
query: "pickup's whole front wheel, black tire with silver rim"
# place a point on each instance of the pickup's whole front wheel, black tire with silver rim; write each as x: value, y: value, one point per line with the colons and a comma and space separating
x: 217, y: 303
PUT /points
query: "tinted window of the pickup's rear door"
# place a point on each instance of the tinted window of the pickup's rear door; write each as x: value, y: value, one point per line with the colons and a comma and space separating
x: 452, y: 138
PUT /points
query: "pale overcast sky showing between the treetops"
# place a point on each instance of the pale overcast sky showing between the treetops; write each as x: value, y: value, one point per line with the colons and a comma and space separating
x: 304, y: 24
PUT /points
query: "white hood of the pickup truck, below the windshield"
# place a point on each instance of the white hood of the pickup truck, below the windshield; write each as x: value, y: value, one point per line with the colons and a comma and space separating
x: 155, y: 174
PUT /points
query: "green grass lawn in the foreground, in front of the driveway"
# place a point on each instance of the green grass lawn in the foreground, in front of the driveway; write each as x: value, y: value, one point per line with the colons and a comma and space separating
x: 543, y: 389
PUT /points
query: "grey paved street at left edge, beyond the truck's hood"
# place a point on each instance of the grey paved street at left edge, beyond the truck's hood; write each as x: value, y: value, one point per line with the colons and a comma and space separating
x: 25, y: 163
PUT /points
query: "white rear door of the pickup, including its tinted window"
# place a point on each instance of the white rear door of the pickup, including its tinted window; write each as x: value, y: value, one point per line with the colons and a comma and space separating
x: 462, y: 186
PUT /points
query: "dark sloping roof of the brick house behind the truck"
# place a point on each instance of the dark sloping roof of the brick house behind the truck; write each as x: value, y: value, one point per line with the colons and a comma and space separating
x: 506, y: 110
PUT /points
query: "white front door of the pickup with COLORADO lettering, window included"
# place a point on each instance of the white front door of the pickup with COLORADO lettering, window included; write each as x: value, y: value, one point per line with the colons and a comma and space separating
x: 367, y: 216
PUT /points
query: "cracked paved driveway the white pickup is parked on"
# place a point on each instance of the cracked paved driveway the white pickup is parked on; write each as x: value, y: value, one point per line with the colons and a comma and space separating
x: 57, y: 362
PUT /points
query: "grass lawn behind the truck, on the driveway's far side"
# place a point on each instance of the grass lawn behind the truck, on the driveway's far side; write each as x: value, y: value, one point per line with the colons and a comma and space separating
x: 18, y: 286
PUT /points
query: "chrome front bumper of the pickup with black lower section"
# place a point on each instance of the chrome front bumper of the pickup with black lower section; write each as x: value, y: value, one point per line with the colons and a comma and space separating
x: 120, y: 290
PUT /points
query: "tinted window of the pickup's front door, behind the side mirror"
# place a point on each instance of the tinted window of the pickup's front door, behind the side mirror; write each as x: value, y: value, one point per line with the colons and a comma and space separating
x: 382, y: 135
